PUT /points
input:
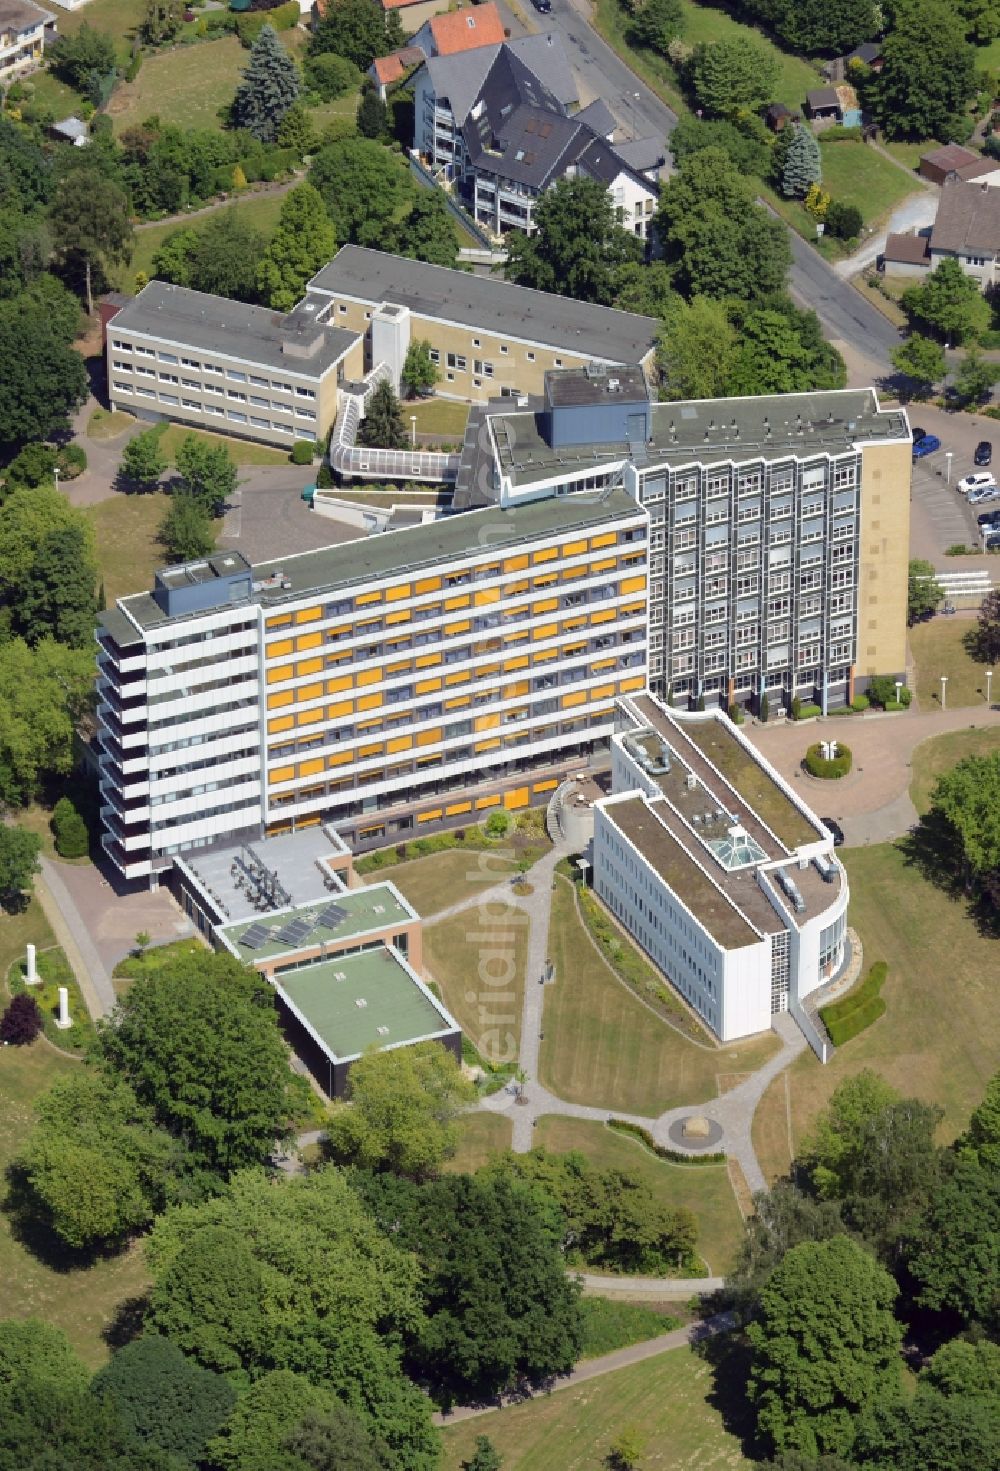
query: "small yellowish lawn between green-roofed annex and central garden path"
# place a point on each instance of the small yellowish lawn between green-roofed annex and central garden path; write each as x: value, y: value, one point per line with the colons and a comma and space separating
x: 479, y: 963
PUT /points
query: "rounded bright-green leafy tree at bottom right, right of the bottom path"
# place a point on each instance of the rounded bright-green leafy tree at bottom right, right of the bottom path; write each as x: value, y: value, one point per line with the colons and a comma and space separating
x: 826, y: 1347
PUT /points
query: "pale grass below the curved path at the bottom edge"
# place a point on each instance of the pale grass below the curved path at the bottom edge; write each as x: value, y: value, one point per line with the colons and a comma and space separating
x: 671, y: 1401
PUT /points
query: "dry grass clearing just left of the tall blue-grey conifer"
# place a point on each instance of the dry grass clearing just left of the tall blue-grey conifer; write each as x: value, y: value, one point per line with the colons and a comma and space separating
x: 185, y: 88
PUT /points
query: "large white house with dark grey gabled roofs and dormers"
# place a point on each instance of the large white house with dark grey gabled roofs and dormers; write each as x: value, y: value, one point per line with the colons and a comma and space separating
x: 498, y: 123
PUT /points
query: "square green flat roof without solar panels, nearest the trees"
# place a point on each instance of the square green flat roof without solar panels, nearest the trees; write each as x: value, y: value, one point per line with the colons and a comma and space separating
x: 327, y: 995
